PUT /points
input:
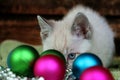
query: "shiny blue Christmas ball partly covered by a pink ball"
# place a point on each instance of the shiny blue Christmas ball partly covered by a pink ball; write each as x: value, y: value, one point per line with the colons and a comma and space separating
x: 84, y: 61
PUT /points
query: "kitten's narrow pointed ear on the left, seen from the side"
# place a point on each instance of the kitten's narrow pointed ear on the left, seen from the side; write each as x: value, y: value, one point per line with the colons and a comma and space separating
x: 45, y: 27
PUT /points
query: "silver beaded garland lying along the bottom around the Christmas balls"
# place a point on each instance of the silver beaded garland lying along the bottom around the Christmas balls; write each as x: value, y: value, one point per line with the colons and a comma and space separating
x: 7, y: 74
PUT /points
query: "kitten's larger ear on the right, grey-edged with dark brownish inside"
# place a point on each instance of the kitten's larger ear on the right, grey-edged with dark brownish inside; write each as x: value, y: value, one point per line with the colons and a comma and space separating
x: 81, y: 26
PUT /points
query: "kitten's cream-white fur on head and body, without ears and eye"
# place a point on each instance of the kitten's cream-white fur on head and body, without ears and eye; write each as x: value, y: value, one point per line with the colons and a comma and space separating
x: 101, y: 42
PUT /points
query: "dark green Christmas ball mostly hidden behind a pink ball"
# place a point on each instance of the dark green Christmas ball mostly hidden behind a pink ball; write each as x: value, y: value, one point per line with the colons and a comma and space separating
x: 54, y: 52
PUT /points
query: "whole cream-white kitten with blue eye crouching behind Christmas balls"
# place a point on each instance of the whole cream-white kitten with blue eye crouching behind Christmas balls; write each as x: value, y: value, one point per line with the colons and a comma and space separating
x: 81, y: 30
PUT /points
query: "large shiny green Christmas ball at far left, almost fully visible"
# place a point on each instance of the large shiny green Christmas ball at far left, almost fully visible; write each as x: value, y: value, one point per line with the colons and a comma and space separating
x: 21, y: 60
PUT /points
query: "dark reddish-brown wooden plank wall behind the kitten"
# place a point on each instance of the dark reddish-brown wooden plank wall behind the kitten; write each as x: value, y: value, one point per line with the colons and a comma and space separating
x: 18, y: 17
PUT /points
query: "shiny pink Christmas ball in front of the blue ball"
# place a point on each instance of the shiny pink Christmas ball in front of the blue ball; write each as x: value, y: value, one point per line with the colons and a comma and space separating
x: 96, y: 73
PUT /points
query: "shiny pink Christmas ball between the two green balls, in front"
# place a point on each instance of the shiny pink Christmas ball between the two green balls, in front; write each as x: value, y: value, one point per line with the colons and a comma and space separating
x: 50, y: 67
